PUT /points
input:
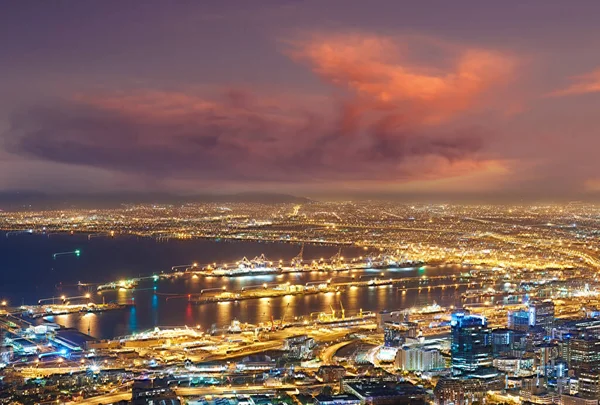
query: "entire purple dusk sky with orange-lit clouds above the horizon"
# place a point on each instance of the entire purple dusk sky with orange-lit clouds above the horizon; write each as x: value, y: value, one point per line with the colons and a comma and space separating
x: 307, y: 97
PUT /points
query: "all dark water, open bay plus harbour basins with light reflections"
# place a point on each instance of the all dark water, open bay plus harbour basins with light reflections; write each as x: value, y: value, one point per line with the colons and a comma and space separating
x: 36, y: 274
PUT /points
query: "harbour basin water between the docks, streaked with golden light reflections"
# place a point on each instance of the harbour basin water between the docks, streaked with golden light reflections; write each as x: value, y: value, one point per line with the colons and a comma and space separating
x: 153, y: 309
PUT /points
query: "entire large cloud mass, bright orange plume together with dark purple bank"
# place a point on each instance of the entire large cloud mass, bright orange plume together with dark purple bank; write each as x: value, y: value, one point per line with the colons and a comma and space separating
x: 394, y: 124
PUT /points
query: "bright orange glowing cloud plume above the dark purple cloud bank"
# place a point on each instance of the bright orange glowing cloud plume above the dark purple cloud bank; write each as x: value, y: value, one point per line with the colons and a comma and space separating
x: 378, y: 73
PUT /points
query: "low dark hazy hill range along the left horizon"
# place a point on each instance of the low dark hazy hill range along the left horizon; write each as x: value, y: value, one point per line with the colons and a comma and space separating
x: 16, y: 200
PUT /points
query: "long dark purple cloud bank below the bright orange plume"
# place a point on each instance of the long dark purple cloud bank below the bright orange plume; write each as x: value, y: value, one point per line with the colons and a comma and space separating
x: 237, y: 136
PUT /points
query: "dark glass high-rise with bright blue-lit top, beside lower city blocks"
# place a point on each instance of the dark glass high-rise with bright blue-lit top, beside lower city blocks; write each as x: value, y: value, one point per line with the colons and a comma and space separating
x: 471, y: 346
